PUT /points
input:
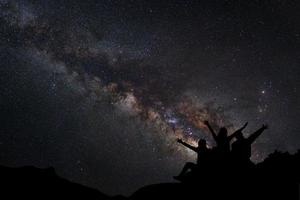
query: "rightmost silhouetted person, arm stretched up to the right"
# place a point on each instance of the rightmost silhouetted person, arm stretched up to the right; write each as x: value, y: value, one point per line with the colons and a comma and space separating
x: 241, y: 148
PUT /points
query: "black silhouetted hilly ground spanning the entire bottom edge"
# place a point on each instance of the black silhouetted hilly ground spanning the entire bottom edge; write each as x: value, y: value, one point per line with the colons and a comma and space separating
x: 277, y: 177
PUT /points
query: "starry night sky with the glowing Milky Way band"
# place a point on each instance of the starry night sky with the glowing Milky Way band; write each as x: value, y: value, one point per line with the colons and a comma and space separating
x: 100, y: 90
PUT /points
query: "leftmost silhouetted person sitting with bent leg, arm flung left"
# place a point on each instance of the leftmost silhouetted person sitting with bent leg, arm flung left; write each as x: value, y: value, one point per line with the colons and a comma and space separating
x: 202, y: 156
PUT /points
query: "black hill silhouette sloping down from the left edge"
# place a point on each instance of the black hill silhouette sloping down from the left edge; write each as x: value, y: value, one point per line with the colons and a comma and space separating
x: 34, y: 183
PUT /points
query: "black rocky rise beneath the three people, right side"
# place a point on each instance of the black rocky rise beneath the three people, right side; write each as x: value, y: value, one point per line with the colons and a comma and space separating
x: 278, y: 177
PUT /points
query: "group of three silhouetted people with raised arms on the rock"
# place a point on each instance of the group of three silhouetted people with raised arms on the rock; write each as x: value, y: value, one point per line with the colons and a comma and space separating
x: 240, y: 151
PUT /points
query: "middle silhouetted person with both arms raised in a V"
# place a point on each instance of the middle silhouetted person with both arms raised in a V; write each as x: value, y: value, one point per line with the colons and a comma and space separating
x: 222, y: 139
